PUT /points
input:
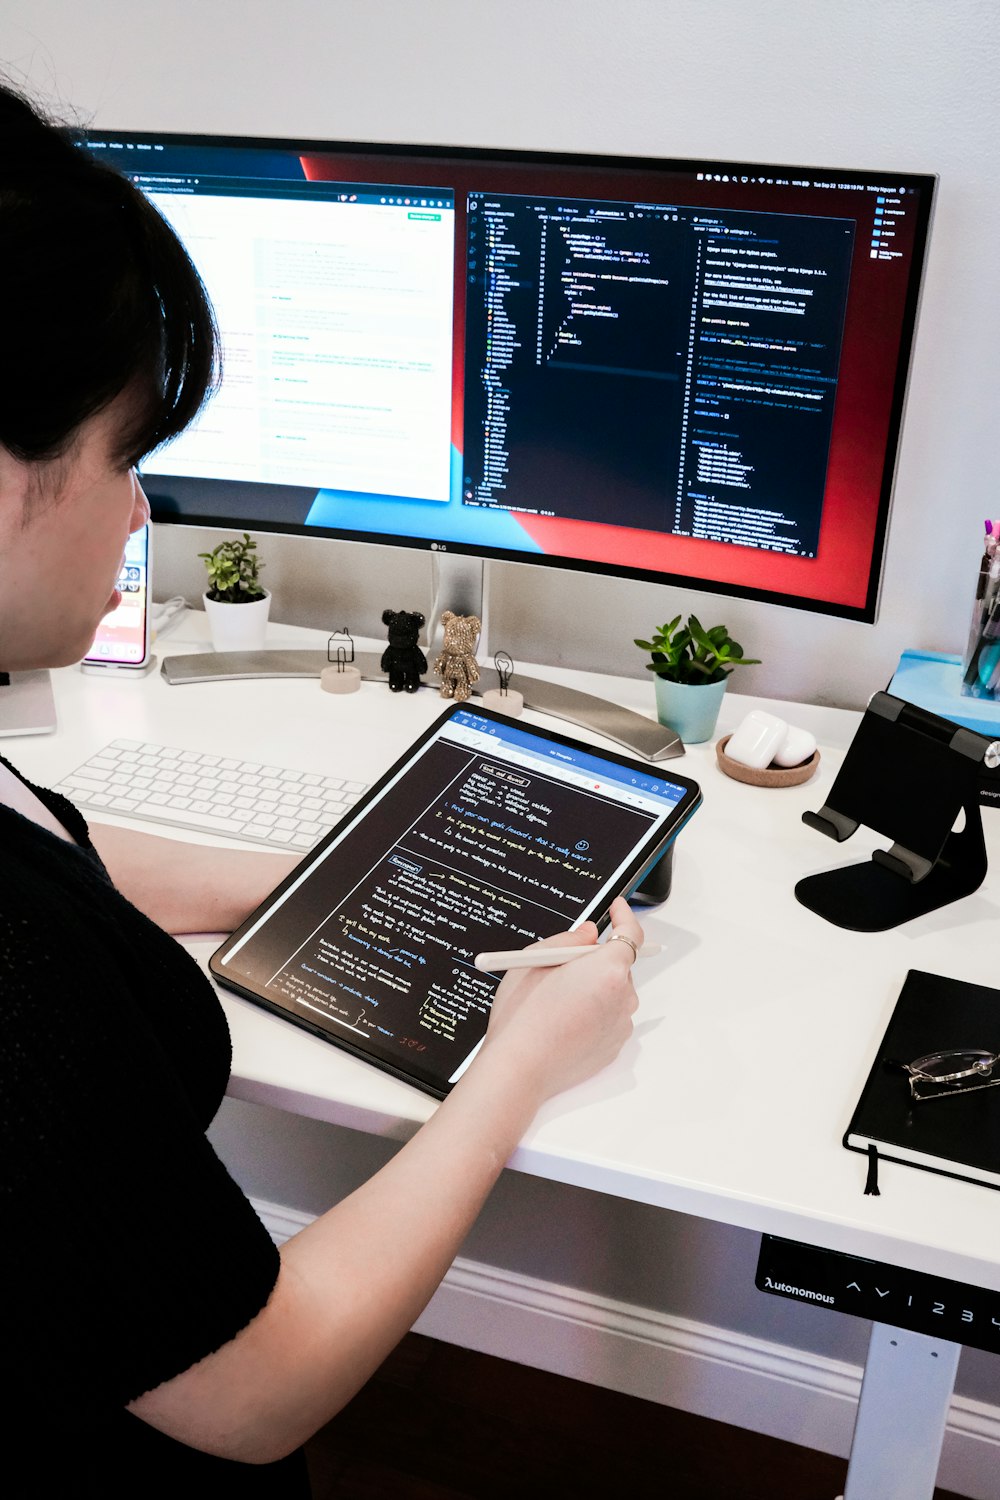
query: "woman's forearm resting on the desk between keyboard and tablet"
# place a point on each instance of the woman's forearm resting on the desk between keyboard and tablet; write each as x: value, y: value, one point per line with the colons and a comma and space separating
x: 187, y: 887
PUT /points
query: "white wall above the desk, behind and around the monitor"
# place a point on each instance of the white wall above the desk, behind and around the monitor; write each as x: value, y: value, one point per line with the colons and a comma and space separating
x: 908, y: 85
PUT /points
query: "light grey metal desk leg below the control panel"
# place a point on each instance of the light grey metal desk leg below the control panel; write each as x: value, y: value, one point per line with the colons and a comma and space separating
x: 902, y: 1415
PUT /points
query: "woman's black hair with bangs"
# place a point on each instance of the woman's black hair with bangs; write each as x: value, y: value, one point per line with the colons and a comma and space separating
x: 98, y: 298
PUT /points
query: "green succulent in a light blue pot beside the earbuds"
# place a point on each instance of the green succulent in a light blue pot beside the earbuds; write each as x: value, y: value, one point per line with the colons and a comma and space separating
x: 692, y: 668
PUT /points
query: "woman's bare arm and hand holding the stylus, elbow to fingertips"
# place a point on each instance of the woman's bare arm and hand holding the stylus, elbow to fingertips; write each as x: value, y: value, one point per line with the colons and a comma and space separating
x: 358, y: 1279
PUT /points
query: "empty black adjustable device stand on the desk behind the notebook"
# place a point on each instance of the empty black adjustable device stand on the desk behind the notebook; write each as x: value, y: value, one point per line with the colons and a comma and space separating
x: 909, y: 776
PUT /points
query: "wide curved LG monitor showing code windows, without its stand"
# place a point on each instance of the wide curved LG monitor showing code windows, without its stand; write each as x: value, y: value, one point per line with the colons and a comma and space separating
x: 687, y: 373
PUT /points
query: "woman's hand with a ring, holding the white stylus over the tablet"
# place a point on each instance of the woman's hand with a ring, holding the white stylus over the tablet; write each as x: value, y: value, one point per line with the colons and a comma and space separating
x: 564, y: 1025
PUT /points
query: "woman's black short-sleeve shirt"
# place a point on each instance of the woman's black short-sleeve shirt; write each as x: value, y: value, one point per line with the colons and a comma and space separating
x: 127, y: 1250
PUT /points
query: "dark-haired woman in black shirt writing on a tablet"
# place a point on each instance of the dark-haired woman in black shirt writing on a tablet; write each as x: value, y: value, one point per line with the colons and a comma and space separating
x: 157, y: 1336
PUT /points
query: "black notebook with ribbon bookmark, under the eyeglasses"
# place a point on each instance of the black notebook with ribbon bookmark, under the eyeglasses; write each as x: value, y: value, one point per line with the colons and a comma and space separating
x: 960, y: 1135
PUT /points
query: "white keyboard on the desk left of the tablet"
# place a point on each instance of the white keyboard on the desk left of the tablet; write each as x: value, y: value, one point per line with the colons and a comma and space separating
x: 211, y: 794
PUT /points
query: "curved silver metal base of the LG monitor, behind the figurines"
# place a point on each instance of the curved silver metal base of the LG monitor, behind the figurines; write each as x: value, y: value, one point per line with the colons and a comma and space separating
x: 644, y: 737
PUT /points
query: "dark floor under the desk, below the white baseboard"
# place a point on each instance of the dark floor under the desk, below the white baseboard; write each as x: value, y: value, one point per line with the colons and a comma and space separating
x: 445, y: 1424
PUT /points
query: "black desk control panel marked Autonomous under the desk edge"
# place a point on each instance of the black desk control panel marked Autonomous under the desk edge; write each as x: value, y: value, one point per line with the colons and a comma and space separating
x: 825, y: 1279
